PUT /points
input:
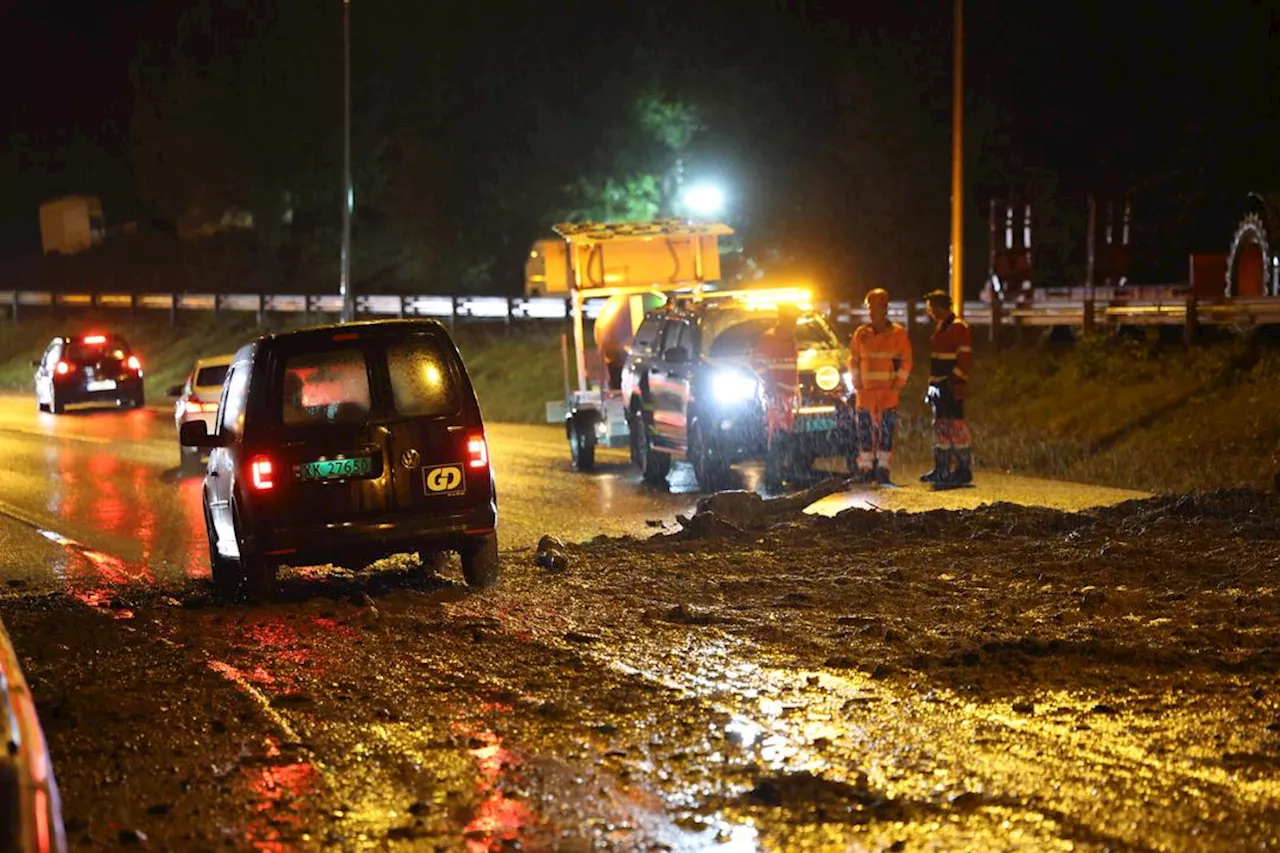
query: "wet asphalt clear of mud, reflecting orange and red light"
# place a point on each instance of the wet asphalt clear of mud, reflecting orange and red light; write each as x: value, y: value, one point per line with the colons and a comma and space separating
x: 111, y: 480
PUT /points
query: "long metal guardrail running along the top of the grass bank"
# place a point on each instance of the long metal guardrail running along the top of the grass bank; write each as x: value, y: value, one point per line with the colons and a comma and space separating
x: 1110, y: 309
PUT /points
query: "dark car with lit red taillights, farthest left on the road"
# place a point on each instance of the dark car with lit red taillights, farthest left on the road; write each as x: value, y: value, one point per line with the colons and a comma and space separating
x: 95, y: 368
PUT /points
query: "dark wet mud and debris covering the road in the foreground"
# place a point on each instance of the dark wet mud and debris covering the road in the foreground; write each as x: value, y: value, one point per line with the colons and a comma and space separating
x: 1002, y: 678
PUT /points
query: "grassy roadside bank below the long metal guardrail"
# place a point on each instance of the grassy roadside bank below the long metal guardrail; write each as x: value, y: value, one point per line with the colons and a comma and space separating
x: 1130, y: 412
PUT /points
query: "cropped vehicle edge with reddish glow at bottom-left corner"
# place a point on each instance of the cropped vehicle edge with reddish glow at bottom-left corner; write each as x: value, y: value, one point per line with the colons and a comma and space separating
x: 31, y: 816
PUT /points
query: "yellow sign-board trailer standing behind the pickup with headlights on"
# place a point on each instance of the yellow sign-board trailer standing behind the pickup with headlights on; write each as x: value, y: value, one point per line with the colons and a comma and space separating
x: 625, y: 263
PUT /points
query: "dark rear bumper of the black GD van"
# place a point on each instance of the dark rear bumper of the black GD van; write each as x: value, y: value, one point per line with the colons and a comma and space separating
x: 378, y: 537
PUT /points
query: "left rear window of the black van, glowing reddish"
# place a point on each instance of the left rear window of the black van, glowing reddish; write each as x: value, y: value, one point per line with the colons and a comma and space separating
x: 327, y: 389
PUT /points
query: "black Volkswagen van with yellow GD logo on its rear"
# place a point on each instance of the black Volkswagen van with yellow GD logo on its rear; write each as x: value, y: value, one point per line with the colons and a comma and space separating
x: 346, y: 444
